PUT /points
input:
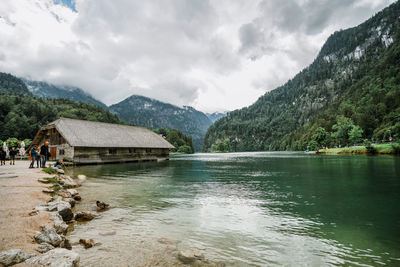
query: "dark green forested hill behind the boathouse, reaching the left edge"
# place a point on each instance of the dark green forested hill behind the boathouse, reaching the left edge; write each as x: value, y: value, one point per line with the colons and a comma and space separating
x: 21, y: 116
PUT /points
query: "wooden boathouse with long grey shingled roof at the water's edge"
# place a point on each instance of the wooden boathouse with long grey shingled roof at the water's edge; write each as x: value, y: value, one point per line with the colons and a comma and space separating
x: 88, y: 142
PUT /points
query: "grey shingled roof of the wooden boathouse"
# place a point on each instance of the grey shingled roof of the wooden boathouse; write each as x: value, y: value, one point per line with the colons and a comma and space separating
x: 82, y: 133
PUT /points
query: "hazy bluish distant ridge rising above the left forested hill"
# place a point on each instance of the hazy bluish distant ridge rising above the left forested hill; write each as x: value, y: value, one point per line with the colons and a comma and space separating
x: 47, y: 90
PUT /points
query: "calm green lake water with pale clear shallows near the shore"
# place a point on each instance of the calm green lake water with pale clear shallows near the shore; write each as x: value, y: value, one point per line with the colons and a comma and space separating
x: 245, y: 209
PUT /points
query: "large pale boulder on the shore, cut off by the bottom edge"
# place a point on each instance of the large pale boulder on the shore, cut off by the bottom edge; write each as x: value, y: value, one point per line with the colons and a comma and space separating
x: 59, y: 257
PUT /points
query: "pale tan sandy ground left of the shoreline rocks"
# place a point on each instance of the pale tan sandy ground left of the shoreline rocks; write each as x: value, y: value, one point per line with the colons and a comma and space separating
x: 20, y: 192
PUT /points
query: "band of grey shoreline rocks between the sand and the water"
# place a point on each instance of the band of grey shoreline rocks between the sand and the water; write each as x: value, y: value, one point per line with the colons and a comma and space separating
x: 54, y: 247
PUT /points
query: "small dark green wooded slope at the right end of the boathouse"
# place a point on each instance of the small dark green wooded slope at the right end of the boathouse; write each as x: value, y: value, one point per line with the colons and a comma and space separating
x: 181, y: 142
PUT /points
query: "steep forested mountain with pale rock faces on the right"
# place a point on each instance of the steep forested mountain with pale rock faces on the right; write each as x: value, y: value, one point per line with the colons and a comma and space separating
x: 351, y: 89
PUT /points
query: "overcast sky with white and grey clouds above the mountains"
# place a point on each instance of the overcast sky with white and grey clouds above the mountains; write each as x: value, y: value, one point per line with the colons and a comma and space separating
x: 214, y: 55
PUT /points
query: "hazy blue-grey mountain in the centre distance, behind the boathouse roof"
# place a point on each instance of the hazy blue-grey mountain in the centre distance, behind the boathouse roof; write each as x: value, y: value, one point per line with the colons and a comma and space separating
x: 153, y: 114
